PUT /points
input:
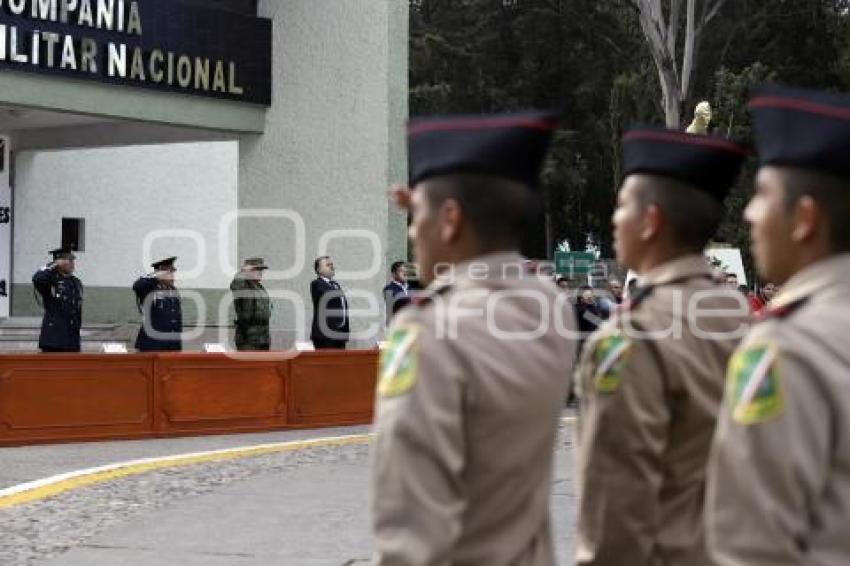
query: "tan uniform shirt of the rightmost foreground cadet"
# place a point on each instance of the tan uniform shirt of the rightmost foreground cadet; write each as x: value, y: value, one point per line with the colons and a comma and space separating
x: 779, y: 478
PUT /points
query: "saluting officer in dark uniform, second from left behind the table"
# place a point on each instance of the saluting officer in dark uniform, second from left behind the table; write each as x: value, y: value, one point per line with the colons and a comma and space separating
x: 159, y: 303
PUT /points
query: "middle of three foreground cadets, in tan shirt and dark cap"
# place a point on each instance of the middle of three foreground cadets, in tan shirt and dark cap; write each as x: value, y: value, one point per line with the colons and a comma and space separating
x: 650, y: 381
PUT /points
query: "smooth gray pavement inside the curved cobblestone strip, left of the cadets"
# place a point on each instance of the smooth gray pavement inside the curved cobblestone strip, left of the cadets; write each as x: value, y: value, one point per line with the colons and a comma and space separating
x: 310, y: 516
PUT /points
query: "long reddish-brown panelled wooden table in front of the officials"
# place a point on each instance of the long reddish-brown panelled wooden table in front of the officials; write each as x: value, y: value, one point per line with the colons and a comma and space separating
x: 65, y: 398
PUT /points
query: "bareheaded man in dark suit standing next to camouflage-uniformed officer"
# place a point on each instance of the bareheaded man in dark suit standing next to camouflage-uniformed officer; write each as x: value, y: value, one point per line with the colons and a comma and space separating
x: 330, y: 308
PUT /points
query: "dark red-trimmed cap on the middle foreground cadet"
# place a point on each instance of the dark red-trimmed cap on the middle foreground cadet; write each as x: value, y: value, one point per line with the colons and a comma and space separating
x: 709, y: 163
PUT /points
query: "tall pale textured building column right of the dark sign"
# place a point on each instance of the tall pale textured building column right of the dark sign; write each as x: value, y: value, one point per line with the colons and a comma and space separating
x: 316, y: 181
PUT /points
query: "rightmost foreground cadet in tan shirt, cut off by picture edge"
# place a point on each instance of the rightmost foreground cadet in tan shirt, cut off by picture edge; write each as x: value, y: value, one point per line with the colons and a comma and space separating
x: 779, y: 477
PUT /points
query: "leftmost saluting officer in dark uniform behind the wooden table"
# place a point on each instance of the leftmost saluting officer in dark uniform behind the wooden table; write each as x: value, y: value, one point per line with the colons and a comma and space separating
x: 61, y: 294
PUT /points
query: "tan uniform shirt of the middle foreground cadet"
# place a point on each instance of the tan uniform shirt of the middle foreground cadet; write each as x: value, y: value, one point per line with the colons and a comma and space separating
x: 651, y: 383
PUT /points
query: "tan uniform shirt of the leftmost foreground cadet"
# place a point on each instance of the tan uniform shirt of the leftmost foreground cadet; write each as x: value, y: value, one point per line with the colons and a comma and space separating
x: 471, y: 389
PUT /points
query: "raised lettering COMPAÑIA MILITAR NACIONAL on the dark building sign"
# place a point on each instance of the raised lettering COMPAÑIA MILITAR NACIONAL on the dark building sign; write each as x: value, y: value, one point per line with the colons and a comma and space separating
x: 118, y: 60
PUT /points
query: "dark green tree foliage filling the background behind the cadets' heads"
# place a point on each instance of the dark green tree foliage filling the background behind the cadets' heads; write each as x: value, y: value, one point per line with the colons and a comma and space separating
x: 590, y: 58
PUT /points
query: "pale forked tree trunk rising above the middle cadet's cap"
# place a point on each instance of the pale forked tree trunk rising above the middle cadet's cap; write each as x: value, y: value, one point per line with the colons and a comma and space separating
x: 662, y: 35
